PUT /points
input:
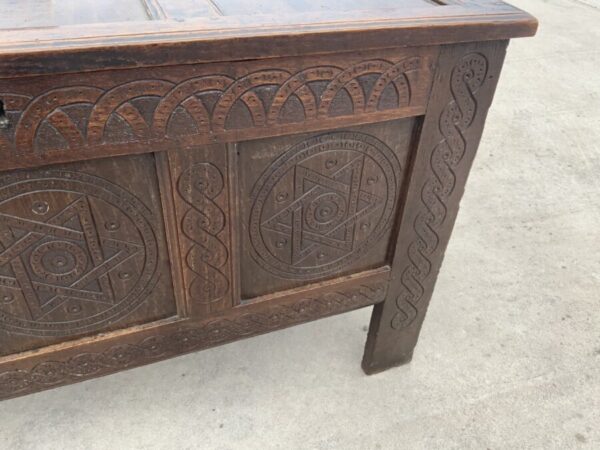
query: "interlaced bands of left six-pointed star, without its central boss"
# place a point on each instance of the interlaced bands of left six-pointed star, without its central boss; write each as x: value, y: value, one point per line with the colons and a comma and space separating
x: 17, y: 235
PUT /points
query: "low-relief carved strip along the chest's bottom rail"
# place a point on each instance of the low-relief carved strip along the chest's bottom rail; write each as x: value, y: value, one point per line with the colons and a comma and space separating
x: 60, y: 370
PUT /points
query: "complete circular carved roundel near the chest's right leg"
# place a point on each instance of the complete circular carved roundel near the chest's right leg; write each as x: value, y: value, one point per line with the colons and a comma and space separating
x: 323, y: 204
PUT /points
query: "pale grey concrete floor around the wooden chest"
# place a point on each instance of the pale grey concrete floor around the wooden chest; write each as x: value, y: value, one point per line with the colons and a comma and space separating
x: 510, y: 353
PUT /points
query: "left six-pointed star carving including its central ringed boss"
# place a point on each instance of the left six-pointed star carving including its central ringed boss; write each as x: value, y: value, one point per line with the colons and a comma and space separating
x: 80, y: 259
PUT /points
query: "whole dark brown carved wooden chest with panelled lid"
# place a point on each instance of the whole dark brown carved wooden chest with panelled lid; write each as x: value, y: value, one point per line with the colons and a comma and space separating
x: 178, y: 174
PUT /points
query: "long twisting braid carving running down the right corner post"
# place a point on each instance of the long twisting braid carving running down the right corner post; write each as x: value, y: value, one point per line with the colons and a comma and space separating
x: 456, y: 118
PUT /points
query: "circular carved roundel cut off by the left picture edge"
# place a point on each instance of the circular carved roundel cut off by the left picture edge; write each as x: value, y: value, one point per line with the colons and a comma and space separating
x: 76, y: 252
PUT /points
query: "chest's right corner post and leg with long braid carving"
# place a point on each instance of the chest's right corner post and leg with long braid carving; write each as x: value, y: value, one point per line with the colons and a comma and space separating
x: 461, y: 95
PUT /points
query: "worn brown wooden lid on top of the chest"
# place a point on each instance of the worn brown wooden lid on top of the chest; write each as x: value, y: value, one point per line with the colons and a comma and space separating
x: 52, y: 36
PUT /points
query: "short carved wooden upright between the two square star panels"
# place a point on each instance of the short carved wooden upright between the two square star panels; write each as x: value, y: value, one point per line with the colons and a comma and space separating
x: 201, y: 186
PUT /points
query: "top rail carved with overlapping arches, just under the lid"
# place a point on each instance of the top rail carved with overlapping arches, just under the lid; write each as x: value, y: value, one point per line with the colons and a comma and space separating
x: 201, y: 104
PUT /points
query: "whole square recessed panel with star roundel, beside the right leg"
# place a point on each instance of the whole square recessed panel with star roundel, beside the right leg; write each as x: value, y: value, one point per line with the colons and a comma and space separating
x: 318, y: 206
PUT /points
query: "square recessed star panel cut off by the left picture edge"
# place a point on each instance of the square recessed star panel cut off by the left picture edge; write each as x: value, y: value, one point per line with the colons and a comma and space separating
x: 82, y: 250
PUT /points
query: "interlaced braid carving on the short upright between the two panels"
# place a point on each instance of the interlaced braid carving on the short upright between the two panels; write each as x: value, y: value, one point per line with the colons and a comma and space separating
x: 202, y: 223
